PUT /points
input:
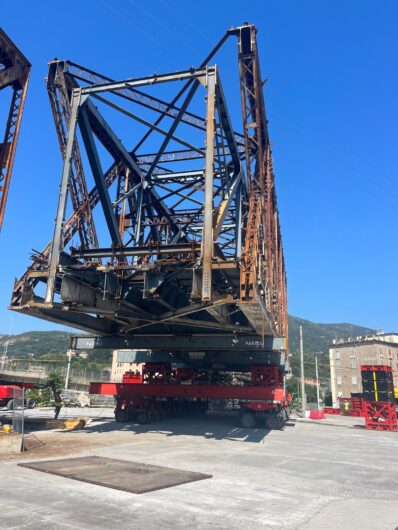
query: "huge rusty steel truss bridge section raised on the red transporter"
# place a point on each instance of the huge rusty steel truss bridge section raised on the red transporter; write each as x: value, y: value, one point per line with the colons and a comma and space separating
x: 189, y: 214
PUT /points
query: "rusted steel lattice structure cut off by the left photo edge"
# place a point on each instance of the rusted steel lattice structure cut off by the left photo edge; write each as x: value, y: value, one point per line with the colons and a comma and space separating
x: 14, y: 77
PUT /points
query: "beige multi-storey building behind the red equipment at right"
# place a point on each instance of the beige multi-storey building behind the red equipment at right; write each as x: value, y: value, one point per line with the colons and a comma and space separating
x: 347, y: 355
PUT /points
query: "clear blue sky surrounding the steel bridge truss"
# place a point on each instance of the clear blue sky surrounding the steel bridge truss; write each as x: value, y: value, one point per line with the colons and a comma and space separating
x: 331, y: 97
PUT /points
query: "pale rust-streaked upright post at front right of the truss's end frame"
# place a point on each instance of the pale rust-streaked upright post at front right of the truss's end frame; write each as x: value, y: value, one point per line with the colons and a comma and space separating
x: 207, y: 239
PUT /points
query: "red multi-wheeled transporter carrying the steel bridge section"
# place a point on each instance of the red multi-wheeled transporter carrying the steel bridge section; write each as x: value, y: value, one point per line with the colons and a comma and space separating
x: 163, y: 391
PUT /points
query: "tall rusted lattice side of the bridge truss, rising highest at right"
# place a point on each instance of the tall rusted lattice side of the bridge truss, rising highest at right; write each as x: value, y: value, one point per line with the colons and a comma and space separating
x: 260, y: 268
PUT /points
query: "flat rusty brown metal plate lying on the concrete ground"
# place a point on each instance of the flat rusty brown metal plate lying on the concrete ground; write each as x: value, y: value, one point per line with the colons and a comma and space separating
x: 124, y: 475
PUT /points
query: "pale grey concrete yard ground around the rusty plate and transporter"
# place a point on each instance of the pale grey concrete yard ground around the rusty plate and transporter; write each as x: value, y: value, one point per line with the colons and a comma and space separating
x: 327, y: 474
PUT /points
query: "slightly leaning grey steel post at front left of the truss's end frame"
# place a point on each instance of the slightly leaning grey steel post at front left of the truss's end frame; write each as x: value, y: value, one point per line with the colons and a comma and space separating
x: 57, y: 242
